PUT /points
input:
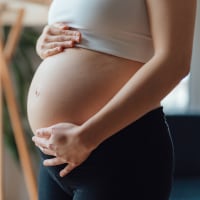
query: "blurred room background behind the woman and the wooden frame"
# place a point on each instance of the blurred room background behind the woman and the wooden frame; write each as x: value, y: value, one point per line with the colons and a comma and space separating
x: 182, y: 105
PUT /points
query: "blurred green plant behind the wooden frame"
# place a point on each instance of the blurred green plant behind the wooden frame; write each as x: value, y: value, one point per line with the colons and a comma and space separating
x: 22, y: 70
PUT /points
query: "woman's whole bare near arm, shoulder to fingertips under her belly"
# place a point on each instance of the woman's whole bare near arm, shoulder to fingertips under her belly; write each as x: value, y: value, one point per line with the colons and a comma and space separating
x: 172, y: 25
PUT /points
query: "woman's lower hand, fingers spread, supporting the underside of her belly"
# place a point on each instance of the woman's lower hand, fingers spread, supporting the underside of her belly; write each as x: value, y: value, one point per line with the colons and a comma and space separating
x: 64, y: 141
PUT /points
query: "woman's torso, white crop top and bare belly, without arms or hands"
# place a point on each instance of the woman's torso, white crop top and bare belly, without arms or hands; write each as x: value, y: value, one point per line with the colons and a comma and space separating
x: 75, y: 84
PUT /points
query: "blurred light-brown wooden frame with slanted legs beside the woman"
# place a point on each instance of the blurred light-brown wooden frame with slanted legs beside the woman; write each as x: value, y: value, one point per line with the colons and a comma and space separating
x: 6, y: 88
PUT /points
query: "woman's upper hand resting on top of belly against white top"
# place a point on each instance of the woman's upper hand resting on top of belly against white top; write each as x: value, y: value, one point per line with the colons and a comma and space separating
x: 55, y: 38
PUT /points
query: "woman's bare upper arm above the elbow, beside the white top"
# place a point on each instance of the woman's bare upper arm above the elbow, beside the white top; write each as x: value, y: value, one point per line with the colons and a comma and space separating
x: 172, y: 26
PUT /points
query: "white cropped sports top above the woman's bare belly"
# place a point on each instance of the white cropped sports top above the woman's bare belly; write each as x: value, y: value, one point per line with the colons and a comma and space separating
x: 116, y: 27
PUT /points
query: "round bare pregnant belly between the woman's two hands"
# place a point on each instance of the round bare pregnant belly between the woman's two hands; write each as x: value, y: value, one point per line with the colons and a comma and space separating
x: 74, y: 85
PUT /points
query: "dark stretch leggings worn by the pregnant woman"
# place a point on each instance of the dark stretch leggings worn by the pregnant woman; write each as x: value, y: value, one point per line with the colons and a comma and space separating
x: 134, y: 164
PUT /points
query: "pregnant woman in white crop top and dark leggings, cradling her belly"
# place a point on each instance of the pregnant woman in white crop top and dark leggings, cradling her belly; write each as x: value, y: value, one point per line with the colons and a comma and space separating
x: 94, y: 101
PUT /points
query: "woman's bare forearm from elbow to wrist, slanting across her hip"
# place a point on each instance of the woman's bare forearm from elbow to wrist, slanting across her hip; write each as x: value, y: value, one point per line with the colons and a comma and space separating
x: 140, y: 94
